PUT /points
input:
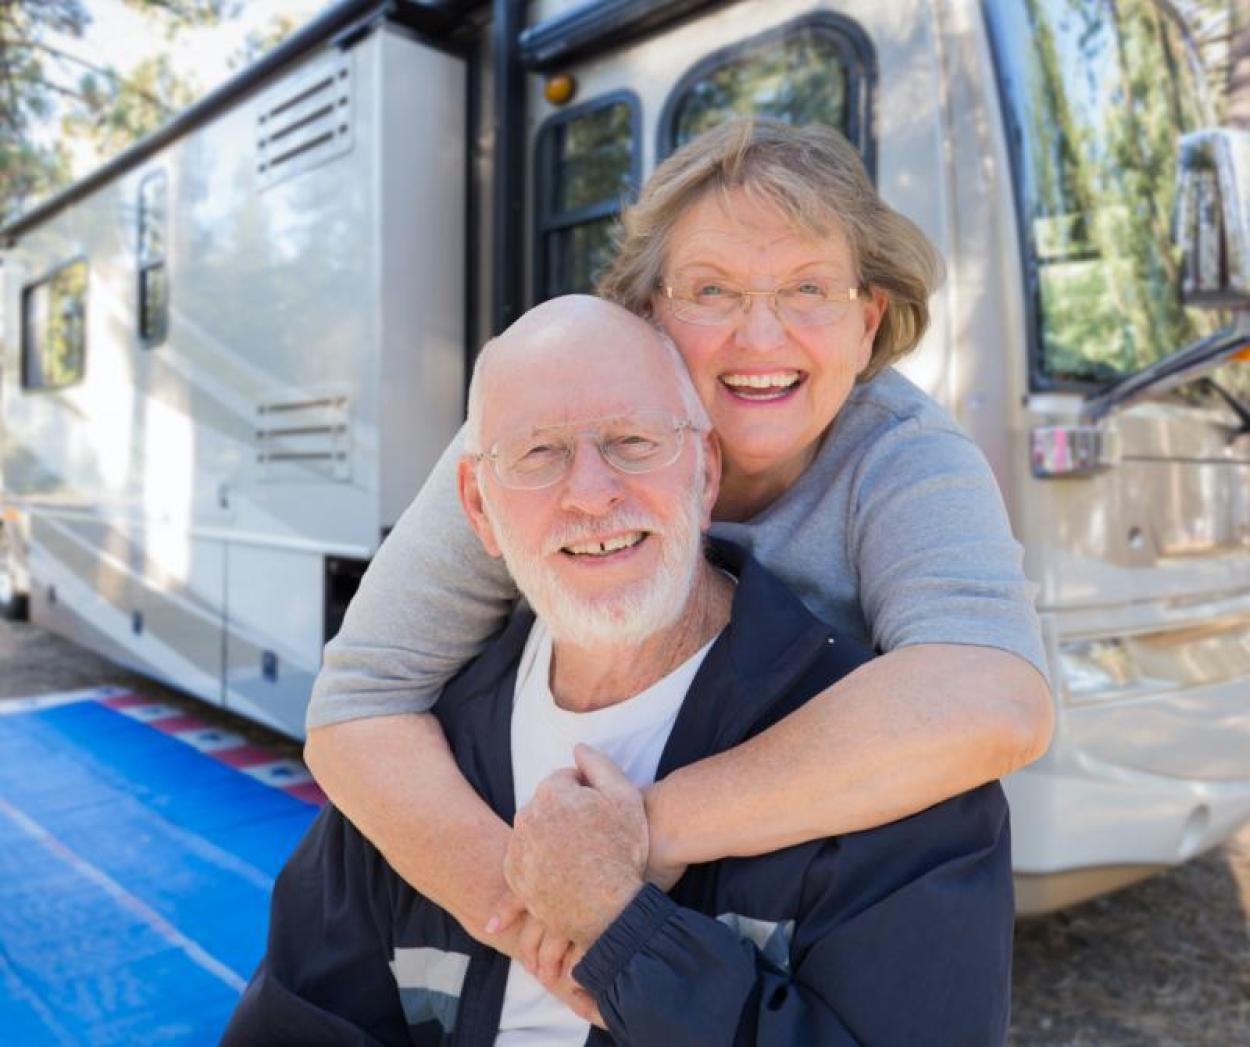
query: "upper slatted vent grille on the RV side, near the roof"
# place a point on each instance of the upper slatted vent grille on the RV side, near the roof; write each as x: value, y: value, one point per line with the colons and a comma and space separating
x: 307, y: 121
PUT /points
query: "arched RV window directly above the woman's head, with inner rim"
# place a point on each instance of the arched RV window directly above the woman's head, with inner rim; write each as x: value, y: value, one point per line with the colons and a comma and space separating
x: 816, y: 71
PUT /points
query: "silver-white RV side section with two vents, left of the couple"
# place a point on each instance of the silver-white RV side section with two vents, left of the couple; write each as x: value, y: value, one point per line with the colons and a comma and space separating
x: 231, y: 367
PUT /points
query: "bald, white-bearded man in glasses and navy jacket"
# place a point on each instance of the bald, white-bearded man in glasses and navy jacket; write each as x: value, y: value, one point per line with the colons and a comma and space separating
x: 593, y: 474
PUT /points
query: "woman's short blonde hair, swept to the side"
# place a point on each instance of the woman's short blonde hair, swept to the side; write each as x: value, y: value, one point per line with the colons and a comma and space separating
x: 816, y: 178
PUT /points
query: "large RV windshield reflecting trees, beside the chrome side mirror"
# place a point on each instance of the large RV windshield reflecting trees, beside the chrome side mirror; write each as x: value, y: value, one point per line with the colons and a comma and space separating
x: 1097, y: 94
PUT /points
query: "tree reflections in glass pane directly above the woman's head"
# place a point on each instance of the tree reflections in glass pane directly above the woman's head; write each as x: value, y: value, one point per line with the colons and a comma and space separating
x: 801, y: 79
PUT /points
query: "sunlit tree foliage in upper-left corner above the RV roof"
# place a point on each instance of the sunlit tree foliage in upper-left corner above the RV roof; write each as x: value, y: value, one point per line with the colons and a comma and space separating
x: 96, y: 103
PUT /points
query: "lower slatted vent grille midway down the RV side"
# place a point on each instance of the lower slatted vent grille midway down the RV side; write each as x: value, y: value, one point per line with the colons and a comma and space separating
x: 296, y: 438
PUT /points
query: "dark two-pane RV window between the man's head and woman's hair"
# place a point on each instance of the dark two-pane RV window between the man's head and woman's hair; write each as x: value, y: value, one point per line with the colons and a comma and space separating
x: 588, y: 164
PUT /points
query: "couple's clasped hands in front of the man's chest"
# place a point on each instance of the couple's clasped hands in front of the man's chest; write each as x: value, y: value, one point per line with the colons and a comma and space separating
x: 578, y: 854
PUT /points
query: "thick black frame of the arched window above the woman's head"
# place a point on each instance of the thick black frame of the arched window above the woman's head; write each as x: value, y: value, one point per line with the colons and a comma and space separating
x: 859, y: 61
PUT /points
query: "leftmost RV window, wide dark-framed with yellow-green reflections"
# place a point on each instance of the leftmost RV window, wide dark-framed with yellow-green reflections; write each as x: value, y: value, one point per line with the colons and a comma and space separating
x: 54, y: 329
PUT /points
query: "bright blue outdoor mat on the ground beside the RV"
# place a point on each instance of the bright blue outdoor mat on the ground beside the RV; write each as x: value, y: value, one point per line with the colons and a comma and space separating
x: 136, y: 875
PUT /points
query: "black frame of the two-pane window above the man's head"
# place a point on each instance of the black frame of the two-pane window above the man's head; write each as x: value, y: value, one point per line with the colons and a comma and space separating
x: 547, y: 218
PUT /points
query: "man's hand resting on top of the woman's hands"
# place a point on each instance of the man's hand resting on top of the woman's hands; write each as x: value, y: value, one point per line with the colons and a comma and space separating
x: 579, y: 849
